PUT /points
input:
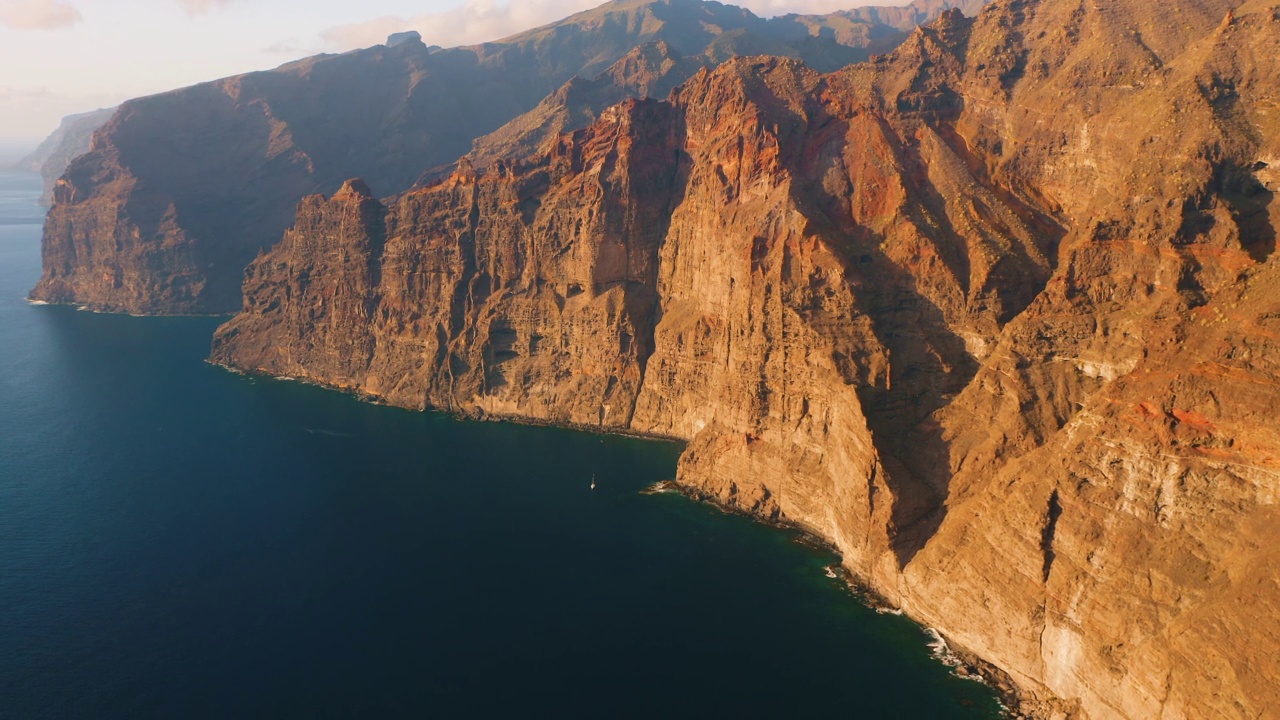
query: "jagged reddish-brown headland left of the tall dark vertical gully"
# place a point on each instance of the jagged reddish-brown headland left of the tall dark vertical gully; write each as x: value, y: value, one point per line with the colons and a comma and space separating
x: 481, y: 284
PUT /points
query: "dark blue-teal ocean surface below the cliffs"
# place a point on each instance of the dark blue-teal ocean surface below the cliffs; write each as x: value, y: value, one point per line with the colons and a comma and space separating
x: 179, y: 541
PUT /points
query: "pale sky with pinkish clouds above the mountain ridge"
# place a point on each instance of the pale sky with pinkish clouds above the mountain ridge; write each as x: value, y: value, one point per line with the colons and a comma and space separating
x: 63, y: 57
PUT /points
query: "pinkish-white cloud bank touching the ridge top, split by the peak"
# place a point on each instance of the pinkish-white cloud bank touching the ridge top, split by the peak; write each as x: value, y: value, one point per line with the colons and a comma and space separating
x: 479, y: 21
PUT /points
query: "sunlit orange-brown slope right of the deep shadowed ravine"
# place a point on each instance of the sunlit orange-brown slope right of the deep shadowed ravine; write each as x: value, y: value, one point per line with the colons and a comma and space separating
x: 1130, y: 454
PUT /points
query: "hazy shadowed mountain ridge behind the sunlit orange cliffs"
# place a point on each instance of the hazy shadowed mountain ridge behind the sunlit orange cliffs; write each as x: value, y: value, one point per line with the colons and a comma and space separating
x: 182, y: 190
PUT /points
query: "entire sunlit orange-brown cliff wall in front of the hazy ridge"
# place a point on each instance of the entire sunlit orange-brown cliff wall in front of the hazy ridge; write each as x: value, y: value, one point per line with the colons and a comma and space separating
x: 998, y: 315
